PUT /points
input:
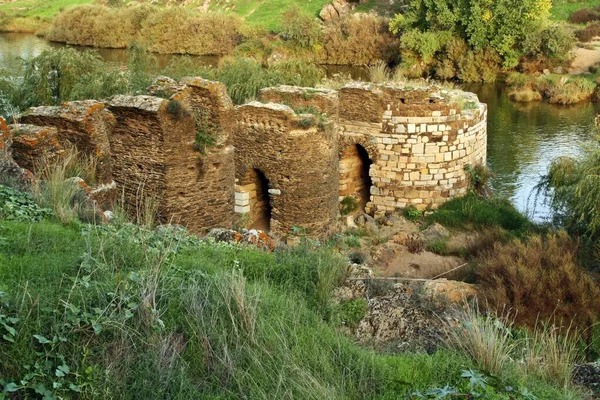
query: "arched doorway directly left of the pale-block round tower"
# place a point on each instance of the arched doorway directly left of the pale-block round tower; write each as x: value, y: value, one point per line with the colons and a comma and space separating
x: 355, y: 180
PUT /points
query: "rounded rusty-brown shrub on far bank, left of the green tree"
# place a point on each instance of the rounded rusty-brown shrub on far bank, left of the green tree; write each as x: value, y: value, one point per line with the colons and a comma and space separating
x: 357, y: 39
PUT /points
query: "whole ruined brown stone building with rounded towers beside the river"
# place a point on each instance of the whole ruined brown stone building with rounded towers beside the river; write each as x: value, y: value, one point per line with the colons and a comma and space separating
x: 278, y: 164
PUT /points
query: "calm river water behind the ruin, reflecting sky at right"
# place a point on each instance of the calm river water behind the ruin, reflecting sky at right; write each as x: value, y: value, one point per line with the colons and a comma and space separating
x: 522, y: 138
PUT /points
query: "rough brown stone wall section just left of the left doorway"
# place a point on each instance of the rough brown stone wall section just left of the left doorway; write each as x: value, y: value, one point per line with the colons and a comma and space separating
x: 155, y: 157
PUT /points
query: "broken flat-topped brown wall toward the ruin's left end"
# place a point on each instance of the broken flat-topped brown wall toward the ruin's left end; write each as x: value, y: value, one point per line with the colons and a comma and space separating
x: 85, y: 125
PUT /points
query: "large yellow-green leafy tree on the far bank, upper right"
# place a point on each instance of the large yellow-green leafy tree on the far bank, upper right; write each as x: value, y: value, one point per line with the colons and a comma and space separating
x: 473, y: 40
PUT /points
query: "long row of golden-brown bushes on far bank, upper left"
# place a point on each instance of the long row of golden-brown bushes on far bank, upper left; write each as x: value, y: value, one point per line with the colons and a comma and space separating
x: 161, y: 30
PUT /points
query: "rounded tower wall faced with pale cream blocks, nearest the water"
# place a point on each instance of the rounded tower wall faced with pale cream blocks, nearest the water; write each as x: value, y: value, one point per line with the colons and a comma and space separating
x: 419, y: 141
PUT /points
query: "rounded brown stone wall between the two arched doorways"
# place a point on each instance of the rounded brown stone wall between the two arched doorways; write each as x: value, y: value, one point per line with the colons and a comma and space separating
x: 298, y: 158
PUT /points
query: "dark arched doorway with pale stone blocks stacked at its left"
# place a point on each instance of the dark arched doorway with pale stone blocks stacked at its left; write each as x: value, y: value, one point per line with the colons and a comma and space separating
x: 255, y: 187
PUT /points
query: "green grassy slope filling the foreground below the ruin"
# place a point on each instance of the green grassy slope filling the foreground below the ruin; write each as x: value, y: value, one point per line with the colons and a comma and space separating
x: 59, y: 284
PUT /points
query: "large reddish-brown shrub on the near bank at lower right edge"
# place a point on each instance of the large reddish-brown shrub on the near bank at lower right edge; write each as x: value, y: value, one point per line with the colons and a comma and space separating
x: 539, y: 279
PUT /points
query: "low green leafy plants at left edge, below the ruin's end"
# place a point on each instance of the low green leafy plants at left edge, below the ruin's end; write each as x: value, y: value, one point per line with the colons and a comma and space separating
x: 20, y: 206
